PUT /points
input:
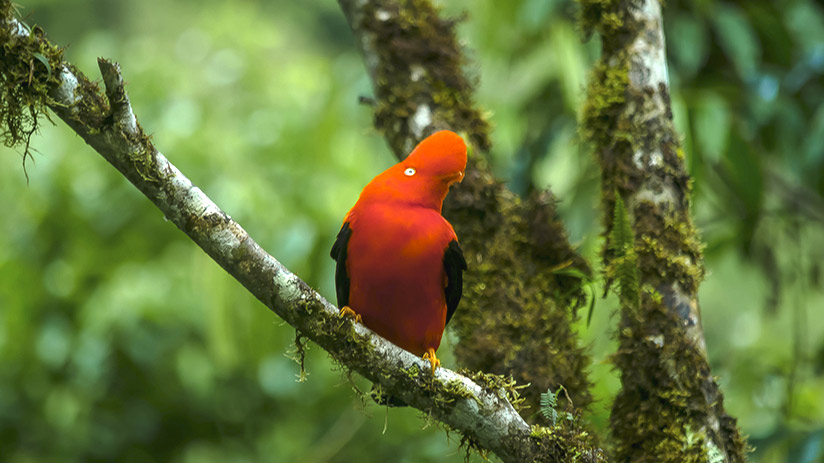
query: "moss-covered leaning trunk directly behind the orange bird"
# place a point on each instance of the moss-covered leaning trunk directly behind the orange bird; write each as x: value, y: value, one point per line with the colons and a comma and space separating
x: 519, y: 308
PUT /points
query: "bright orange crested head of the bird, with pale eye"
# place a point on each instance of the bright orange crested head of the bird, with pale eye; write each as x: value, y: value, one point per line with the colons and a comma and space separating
x: 424, y: 177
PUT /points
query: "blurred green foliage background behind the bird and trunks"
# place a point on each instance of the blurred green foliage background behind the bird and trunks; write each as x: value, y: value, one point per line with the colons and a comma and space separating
x: 121, y: 341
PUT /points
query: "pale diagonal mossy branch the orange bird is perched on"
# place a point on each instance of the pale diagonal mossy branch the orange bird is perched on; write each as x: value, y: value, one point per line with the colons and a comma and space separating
x: 478, y: 408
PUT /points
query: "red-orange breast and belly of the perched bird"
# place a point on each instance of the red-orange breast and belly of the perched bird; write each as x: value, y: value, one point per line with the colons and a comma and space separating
x: 397, y: 275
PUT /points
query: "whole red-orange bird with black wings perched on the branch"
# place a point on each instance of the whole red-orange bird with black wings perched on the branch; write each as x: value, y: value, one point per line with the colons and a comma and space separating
x: 399, y: 266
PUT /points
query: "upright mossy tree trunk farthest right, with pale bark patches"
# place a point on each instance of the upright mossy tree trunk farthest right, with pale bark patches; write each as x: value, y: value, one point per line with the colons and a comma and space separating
x: 669, y: 407
